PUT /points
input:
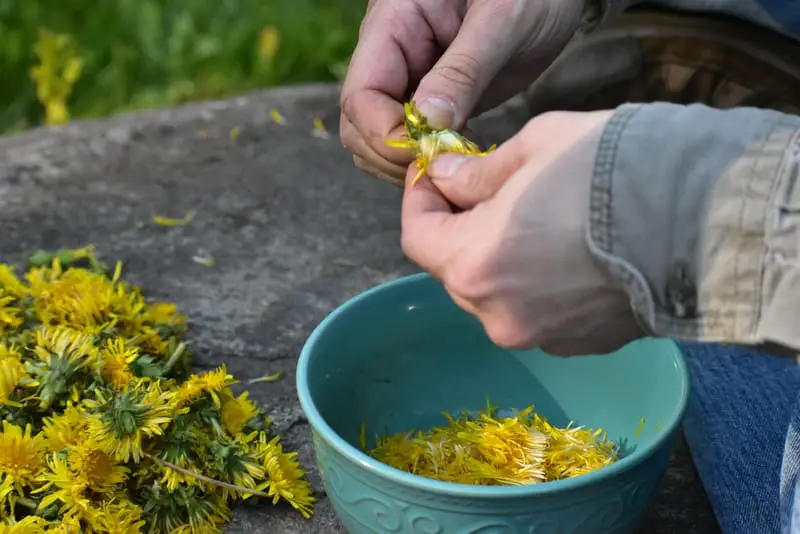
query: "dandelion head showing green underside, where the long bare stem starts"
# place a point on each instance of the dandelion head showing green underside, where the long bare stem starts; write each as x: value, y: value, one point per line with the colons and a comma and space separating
x: 123, y: 422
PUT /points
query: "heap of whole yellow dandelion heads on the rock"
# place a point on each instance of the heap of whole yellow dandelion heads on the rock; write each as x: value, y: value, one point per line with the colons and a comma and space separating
x: 105, y: 429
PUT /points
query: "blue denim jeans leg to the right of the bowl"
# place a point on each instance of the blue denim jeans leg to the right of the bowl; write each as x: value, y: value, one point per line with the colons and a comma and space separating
x: 743, y: 430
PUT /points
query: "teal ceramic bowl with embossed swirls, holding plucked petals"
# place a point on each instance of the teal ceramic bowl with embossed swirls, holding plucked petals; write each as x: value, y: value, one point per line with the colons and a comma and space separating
x: 397, y: 356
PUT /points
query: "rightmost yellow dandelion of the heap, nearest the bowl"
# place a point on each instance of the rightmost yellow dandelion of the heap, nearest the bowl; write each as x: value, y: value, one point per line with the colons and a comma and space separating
x: 284, y: 476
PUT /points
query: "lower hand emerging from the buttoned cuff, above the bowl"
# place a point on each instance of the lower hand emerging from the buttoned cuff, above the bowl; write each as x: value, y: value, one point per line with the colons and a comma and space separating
x: 517, y: 256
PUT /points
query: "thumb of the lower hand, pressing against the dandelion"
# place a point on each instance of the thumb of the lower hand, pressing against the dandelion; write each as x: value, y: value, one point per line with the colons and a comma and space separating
x: 466, y: 181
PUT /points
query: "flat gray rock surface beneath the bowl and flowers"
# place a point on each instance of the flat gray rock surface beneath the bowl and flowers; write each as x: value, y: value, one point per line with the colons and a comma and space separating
x: 293, y: 227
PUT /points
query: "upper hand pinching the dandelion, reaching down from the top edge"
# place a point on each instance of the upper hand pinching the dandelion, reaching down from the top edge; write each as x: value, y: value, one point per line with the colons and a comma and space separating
x: 457, y: 57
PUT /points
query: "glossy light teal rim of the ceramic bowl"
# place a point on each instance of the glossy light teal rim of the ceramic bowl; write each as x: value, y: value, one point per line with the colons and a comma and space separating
x: 453, y: 489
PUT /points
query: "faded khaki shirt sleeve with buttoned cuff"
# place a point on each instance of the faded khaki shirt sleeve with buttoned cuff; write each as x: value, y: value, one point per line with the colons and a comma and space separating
x: 696, y: 212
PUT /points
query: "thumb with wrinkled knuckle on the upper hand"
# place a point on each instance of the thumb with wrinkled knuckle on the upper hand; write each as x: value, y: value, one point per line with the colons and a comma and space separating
x: 450, y: 91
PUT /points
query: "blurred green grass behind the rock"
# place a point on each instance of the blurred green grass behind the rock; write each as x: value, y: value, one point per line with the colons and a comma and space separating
x: 153, y: 53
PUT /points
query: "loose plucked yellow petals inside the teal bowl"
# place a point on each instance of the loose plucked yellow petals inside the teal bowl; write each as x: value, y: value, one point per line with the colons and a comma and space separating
x: 491, y: 450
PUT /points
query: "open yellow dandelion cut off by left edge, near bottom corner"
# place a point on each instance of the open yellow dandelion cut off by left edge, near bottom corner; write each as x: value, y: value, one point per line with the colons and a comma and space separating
x: 22, y: 460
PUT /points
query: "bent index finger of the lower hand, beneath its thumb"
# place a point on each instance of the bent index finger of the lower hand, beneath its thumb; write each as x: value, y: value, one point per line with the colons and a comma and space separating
x: 430, y: 229
